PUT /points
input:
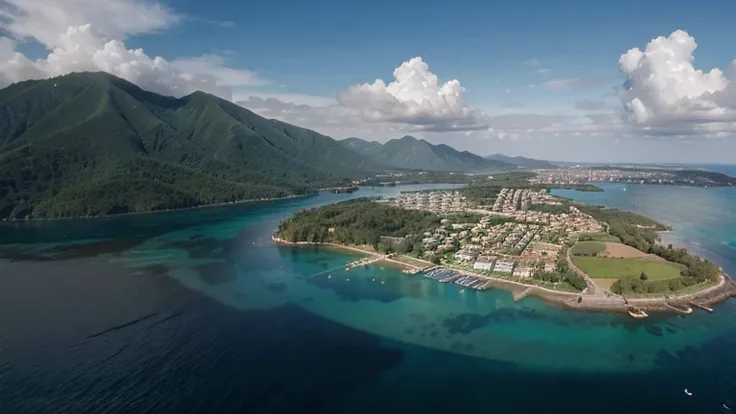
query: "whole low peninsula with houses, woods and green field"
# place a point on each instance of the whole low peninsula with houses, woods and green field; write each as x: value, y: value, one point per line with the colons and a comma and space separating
x: 520, y: 238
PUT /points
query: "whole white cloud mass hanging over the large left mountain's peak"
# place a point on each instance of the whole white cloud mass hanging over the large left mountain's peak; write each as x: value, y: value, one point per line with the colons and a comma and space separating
x: 88, y: 35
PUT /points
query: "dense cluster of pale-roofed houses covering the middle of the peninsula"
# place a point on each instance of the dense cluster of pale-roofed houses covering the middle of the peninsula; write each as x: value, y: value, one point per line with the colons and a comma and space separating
x: 520, y: 235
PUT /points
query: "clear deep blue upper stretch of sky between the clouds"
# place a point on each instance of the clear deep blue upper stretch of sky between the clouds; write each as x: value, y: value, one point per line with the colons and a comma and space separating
x: 320, y: 47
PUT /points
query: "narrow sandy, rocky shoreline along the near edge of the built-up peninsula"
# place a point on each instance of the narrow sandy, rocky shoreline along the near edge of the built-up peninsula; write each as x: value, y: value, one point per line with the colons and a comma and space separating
x: 590, y: 302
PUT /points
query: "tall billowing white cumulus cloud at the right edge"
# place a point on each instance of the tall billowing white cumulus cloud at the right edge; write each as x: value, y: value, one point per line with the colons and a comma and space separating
x: 663, y: 85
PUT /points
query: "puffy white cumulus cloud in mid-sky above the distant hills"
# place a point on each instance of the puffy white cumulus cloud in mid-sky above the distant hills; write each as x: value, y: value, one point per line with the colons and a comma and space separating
x: 415, y: 97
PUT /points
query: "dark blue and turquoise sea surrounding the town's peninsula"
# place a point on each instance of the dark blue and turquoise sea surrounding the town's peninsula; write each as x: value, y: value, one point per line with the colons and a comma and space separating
x: 198, y: 312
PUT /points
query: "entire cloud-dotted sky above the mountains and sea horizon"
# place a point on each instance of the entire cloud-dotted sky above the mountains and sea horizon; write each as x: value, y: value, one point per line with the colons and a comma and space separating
x: 538, y: 78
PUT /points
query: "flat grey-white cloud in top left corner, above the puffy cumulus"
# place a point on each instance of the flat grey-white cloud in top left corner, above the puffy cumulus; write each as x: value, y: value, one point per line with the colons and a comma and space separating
x: 44, y: 20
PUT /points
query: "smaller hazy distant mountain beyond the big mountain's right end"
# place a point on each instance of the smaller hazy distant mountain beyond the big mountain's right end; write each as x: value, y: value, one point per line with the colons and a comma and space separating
x: 418, y: 154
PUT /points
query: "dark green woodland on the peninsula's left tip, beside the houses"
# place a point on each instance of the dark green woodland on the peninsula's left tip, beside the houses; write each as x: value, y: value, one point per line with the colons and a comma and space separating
x: 358, y: 222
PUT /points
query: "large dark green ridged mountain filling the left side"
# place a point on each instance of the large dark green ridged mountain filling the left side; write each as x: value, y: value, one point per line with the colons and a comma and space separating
x: 89, y: 144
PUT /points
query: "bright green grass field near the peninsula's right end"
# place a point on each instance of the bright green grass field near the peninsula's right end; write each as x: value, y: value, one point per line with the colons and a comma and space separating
x: 605, y: 268
